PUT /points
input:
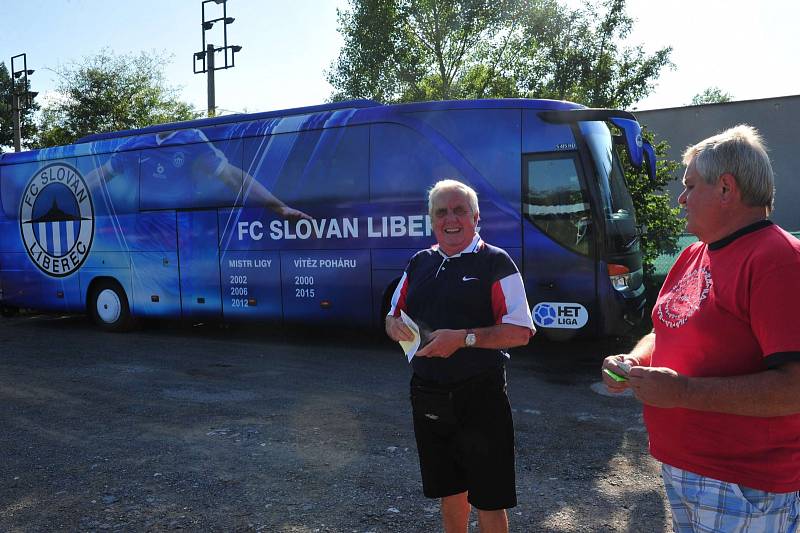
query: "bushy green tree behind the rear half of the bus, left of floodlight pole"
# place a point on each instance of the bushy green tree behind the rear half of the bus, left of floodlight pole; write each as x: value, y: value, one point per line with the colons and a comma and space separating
x: 110, y: 92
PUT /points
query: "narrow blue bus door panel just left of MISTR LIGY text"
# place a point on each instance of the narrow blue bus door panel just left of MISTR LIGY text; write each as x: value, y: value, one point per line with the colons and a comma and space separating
x: 198, y: 263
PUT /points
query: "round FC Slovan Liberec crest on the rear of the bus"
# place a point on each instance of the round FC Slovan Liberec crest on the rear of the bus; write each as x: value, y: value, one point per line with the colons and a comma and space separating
x: 56, y: 219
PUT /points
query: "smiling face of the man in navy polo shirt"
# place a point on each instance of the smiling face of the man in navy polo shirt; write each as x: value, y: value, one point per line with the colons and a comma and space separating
x: 453, y: 220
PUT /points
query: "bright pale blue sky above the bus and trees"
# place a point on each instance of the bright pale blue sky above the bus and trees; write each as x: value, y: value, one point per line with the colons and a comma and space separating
x: 746, y: 48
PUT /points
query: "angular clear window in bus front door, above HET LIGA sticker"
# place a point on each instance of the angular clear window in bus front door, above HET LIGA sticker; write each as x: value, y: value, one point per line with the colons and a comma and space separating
x: 556, y: 202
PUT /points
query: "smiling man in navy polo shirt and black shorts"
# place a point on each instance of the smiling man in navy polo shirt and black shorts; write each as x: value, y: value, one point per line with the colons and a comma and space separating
x: 469, y: 295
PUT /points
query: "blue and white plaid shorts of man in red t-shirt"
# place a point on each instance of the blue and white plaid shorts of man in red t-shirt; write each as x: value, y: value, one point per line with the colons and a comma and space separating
x: 705, y: 505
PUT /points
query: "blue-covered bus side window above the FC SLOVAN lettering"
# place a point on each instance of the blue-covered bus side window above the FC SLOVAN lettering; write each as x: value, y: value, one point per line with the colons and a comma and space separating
x: 320, y: 166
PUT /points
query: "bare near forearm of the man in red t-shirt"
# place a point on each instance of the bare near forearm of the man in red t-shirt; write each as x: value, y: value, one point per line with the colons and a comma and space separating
x: 769, y: 393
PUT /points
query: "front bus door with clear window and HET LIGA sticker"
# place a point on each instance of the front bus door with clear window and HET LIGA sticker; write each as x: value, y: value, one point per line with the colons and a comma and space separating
x: 559, y: 252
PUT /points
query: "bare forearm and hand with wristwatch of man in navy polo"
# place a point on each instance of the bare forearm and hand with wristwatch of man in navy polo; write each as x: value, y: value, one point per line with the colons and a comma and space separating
x: 444, y: 342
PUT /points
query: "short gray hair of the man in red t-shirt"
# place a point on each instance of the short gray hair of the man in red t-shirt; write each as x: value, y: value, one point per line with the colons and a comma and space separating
x: 739, y: 151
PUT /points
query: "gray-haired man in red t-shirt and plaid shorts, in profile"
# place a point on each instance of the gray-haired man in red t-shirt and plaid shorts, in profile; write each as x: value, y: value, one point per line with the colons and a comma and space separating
x: 719, y: 374
